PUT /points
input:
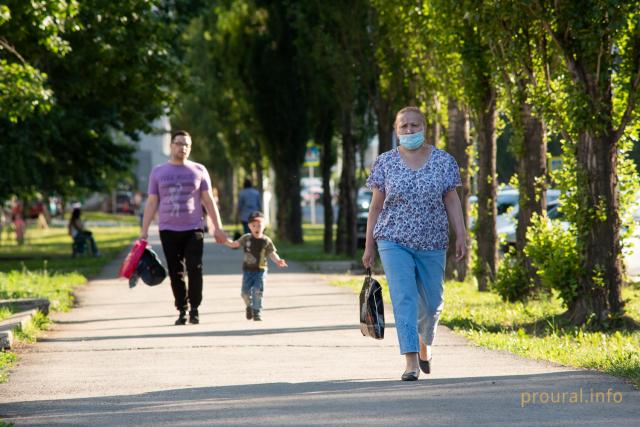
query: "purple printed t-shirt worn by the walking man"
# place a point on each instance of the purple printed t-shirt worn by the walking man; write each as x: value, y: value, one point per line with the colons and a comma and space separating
x: 178, y: 188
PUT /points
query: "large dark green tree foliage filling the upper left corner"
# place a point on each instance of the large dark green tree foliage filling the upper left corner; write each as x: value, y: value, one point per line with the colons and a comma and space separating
x: 109, y: 66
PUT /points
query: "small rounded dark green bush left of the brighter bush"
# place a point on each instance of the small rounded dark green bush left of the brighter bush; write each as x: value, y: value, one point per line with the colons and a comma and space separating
x: 513, y: 282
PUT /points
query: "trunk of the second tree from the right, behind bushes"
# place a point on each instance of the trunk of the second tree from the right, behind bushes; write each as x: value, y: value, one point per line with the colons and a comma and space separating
x: 532, y: 180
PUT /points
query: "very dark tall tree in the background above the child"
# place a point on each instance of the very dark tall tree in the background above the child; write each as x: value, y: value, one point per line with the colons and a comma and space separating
x: 275, y: 79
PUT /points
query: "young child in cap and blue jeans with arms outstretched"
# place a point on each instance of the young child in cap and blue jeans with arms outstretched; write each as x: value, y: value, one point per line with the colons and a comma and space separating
x: 256, y: 247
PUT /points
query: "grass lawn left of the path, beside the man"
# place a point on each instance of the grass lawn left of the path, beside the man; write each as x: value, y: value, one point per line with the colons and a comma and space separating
x: 44, y: 268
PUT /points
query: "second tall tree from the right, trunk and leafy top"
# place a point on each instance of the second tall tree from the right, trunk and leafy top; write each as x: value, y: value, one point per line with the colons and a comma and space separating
x: 512, y: 38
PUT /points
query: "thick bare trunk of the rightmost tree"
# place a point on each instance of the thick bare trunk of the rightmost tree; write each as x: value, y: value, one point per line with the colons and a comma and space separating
x: 599, y: 233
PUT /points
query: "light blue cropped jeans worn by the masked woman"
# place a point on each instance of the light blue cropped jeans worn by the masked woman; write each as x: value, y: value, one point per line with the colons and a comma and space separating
x: 416, y: 281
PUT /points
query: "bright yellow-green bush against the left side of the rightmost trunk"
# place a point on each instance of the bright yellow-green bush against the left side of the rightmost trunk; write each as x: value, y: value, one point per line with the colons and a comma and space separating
x: 554, y: 253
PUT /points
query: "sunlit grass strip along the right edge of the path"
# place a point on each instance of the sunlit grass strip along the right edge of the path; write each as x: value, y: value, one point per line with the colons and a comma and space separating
x: 536, y: 330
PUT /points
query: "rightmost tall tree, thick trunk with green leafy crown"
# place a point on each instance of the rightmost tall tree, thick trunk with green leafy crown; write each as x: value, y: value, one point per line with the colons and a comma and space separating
x: 598, y: 44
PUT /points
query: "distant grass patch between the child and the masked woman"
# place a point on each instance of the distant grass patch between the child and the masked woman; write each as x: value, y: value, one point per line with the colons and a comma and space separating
x: 312, y: 248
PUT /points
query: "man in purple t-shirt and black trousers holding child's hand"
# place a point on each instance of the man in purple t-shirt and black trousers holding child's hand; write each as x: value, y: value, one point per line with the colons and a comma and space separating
x: 177, y: 191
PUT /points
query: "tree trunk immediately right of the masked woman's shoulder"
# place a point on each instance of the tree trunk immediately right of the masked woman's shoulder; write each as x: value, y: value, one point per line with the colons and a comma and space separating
x: 458, y: 142
